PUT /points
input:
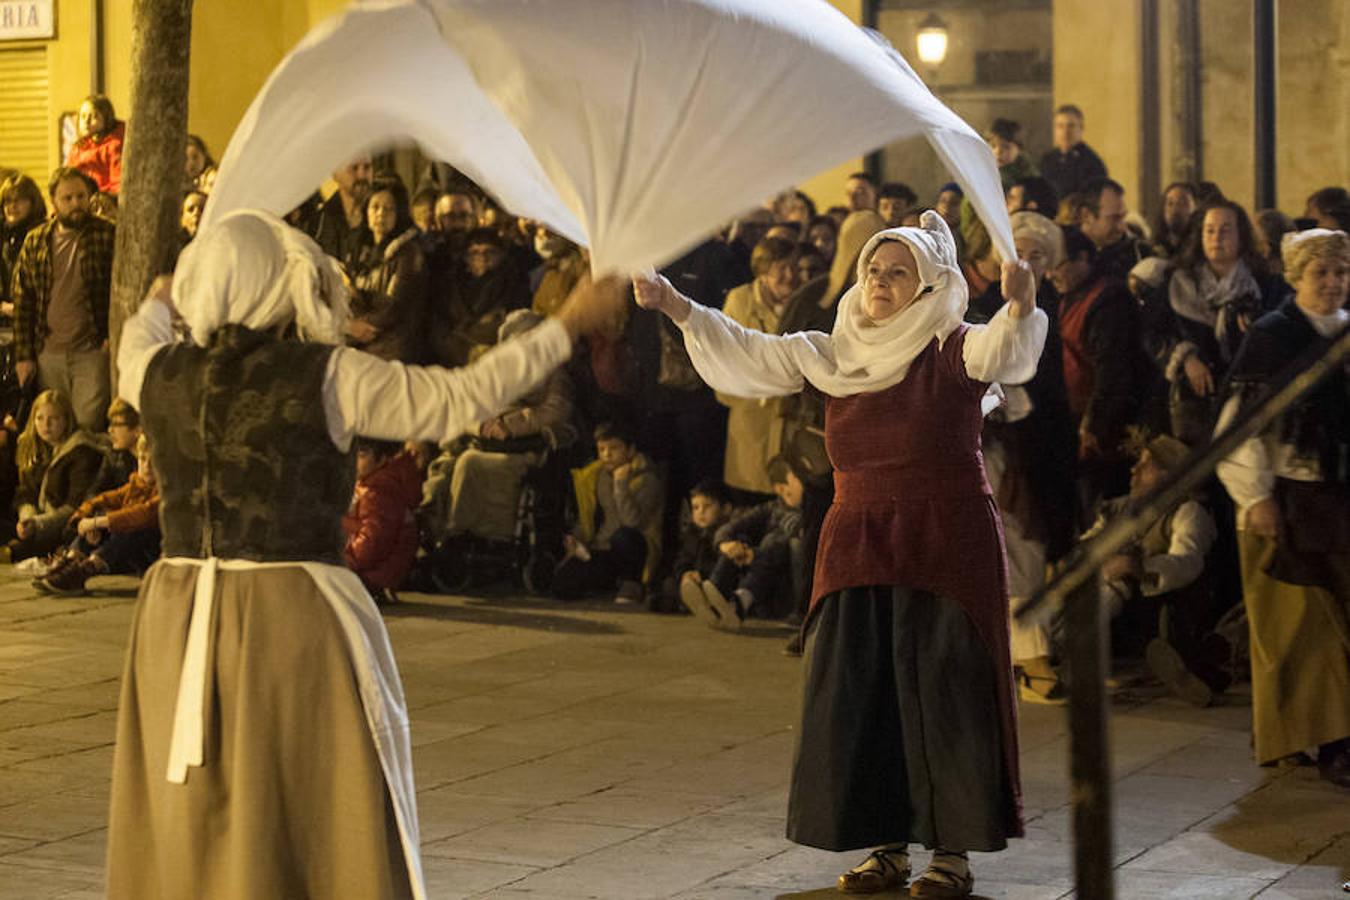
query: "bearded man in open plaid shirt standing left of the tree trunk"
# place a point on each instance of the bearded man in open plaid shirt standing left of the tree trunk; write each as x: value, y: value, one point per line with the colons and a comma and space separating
x: 61, y: 292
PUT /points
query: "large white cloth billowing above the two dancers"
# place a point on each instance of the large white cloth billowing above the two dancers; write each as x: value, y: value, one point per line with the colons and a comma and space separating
x: 635, y: 129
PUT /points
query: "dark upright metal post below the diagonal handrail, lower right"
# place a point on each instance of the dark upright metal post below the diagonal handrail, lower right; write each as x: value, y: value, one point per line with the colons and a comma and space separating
x: 1090, y: 747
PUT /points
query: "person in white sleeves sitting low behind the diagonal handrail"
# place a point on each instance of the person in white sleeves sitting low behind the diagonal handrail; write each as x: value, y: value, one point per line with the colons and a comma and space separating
x: 1158, y: 590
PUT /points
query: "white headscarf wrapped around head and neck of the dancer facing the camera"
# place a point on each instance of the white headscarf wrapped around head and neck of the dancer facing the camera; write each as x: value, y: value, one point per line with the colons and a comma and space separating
x: 874, y: 356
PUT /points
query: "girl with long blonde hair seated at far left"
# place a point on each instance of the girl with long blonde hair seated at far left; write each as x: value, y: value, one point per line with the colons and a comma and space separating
x: 57, y: 466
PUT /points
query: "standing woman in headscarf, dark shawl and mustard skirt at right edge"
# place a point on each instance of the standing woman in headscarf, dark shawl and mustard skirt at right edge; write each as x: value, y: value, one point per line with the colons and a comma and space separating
x: 1291, y: 486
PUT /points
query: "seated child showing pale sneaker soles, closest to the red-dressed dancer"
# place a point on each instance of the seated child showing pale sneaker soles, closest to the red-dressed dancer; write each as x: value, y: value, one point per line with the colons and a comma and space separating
x: 755, y: 558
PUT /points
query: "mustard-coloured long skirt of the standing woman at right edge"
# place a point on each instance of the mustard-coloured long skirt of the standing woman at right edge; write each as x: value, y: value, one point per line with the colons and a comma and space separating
x: 1301, y: 659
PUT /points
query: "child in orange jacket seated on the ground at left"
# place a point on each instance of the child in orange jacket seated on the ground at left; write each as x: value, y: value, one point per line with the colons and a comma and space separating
x: 117, y: 532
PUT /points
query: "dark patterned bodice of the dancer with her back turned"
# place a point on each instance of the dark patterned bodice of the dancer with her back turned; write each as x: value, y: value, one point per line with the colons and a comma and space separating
x: 241, y: 446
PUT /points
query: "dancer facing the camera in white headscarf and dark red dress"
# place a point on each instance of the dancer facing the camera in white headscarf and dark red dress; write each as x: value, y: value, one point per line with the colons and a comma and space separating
x: 909, y: 728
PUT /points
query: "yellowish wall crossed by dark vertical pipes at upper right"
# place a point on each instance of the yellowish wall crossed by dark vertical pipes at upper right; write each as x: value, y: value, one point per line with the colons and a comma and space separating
x: 1313, y: 137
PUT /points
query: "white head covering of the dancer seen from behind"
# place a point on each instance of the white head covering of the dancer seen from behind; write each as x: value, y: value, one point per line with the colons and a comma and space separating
x: 252, y: 269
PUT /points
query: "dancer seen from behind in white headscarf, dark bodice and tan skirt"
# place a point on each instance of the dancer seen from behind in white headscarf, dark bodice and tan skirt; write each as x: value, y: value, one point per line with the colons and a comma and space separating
x: 263, y: 736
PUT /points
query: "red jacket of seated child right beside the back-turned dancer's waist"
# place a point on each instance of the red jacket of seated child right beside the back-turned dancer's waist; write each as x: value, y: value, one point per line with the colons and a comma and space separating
x: 381, y: 531
